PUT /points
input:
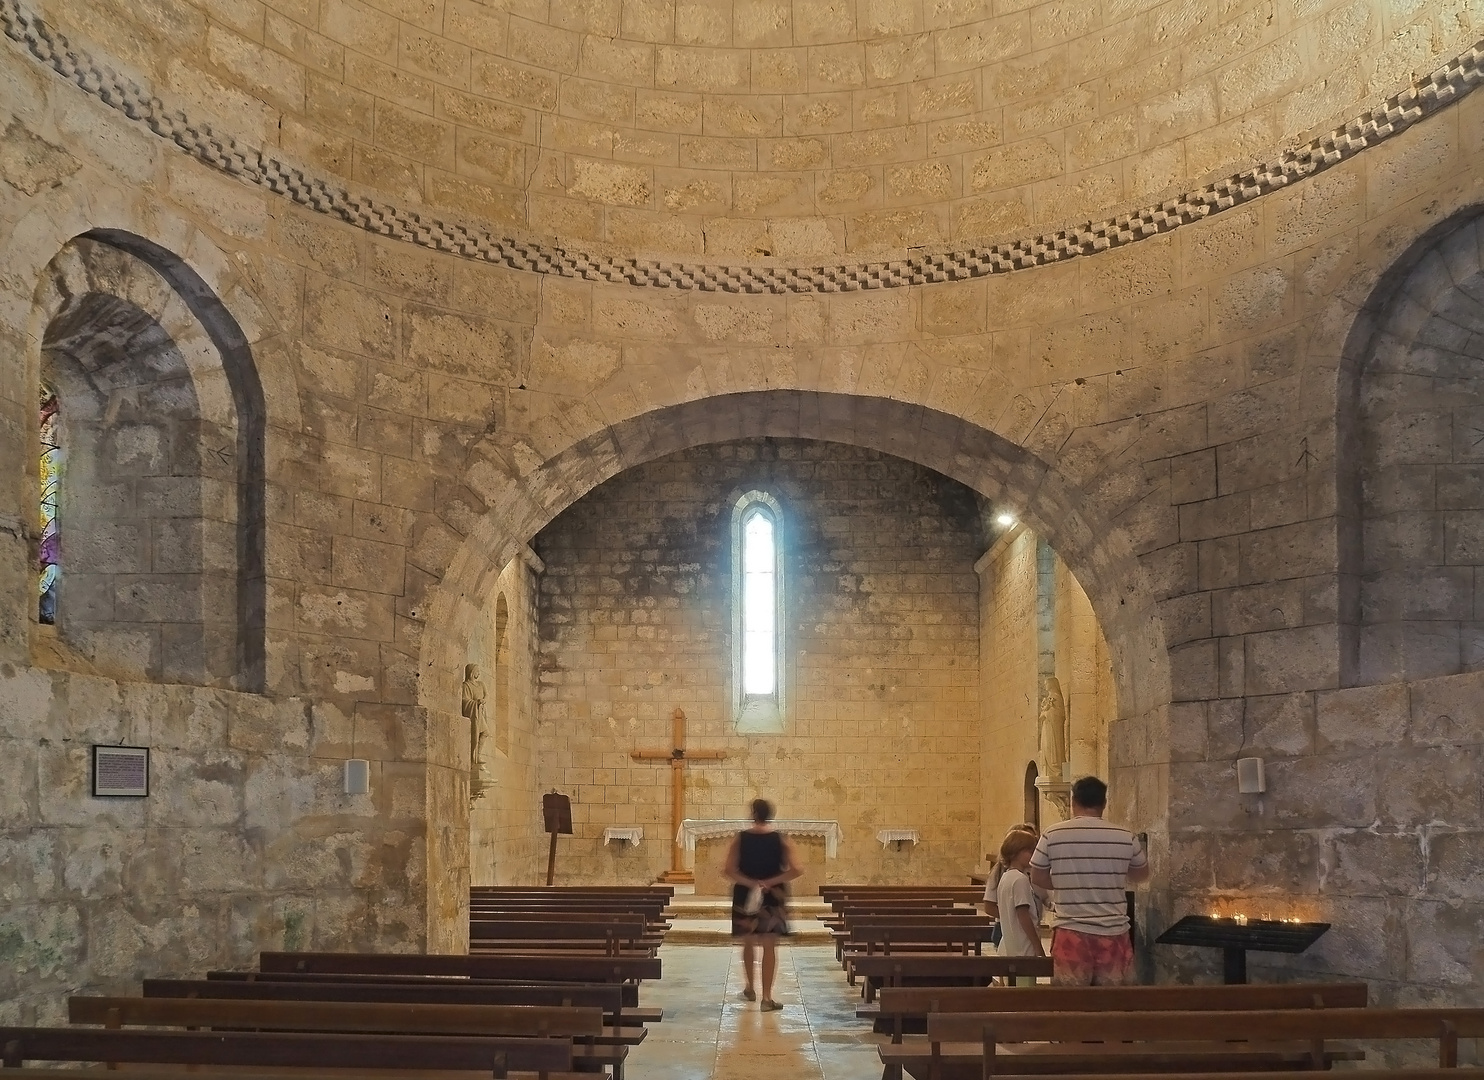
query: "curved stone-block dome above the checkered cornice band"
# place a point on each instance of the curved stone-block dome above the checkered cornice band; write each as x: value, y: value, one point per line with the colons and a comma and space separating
x: 787, y: 128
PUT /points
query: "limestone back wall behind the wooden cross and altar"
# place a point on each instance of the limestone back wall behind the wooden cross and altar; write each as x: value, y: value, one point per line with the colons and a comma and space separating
x: 881, y: 645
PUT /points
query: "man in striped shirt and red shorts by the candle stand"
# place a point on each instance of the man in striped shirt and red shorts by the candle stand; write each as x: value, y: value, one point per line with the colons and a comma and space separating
x: 1090, y: 864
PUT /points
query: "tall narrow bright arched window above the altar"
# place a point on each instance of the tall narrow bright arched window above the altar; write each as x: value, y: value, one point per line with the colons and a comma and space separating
x: 758, y: 613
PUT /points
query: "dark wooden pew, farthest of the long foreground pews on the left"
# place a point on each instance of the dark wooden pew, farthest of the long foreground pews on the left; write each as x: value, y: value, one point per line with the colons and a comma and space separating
x: 533, y: 968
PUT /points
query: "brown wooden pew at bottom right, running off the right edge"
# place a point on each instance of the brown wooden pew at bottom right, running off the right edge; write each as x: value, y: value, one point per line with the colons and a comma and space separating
x: 982, y: 1045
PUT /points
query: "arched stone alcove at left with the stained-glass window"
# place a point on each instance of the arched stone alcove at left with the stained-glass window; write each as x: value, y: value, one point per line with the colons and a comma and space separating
x: 161, y: 502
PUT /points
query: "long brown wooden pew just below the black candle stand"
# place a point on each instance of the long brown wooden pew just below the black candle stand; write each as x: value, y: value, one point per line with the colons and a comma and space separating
x: 907, y: 1010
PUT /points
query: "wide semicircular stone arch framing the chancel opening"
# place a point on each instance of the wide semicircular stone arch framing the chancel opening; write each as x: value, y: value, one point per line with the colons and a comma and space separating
x: 1100, y: 554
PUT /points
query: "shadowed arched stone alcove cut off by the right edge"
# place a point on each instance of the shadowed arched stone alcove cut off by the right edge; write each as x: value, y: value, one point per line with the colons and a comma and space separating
x: 1414, y: 410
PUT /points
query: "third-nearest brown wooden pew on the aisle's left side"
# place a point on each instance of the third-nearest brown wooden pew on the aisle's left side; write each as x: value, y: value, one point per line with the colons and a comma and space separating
x: 443, y: 992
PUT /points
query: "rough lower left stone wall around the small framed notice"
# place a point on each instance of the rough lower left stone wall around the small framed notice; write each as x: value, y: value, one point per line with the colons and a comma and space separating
x: 247, y: 840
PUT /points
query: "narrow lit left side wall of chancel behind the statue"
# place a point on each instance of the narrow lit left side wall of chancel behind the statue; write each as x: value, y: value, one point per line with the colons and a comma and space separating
x: 505, y: 827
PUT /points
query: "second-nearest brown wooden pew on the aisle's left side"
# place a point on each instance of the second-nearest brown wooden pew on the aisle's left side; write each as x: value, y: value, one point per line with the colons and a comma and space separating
x: 584, y: 1027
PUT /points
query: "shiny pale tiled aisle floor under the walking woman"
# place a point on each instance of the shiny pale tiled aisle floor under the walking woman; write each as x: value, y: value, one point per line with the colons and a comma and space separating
x: 712, y: 1035
